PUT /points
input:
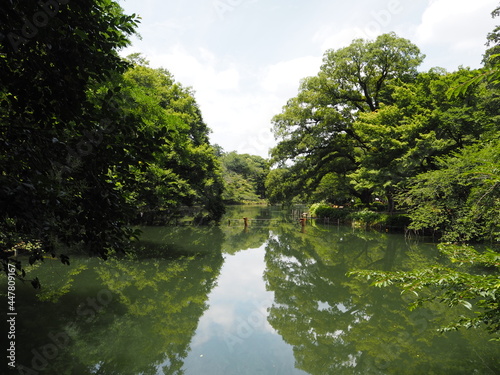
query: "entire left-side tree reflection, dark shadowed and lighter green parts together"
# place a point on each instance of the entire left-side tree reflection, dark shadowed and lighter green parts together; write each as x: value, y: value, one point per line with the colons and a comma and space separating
x: 135, y: 315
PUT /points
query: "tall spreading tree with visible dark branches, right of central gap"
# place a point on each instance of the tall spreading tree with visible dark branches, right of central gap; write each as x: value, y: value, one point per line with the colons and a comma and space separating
x: 315, y: 129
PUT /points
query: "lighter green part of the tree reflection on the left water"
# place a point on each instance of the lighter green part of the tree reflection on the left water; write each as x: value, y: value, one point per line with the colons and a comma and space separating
x: 160, y: 305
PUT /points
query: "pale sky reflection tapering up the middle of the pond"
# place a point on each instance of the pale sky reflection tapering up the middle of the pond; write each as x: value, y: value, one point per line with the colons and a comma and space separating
x: 234, y: 336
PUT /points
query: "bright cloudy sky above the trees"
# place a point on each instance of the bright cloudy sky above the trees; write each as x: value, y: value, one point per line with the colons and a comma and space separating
x: 245, y: 58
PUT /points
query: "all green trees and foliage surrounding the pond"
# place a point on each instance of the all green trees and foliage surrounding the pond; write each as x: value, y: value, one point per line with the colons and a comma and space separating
x: 92, y: 142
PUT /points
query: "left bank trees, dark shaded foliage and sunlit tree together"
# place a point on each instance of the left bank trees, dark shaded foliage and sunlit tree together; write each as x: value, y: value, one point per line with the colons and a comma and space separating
x: 91, y: 141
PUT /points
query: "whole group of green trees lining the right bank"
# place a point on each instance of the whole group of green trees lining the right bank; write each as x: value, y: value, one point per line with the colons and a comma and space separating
x: 369, y: 127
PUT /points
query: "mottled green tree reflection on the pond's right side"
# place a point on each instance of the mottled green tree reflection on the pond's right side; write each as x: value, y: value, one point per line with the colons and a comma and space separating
x: 338, y: 324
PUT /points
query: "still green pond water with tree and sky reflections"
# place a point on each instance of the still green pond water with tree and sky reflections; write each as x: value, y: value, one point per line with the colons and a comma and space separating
x: 272, y: 298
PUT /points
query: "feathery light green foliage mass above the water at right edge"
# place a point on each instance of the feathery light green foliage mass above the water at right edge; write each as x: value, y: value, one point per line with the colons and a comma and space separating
x: 461, y: 199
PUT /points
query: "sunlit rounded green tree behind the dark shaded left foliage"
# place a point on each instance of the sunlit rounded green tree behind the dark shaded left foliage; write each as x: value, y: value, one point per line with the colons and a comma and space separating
x: 185, y: 170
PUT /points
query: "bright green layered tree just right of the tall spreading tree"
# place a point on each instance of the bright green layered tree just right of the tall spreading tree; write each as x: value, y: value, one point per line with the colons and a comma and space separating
x: 404, y: 138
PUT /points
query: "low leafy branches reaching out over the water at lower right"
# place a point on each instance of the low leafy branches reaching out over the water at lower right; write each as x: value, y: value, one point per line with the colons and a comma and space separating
x: 453, y: 287
